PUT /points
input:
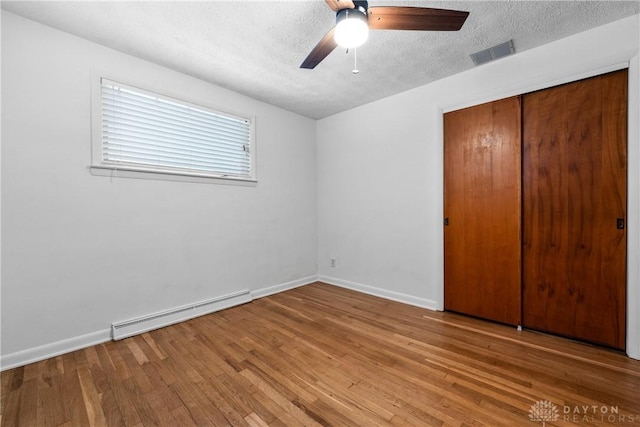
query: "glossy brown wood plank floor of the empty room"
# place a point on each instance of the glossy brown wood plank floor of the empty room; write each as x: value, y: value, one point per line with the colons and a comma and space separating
x: 323, y: 355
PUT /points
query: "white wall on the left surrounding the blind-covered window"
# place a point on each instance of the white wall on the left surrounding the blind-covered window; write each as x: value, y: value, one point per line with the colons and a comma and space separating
x: 81, y: 251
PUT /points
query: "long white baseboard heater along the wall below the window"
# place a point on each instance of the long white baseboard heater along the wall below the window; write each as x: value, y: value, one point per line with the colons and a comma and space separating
x: 139, y: 325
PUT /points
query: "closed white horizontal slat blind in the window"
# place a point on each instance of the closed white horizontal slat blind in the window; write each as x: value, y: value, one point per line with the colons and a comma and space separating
x: 146, y: 131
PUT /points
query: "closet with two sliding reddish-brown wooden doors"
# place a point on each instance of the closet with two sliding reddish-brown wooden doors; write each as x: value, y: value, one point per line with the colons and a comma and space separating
x: 535, y: 210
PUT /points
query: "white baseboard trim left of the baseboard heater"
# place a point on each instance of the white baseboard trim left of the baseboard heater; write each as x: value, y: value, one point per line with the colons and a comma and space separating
x: 46, y: 351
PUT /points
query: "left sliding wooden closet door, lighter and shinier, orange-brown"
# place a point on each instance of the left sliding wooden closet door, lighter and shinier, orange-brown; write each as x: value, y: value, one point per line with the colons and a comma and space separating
x: 482, y: 204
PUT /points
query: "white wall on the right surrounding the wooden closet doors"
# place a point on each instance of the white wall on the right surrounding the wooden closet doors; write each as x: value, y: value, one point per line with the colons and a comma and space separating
x: 380, y: 170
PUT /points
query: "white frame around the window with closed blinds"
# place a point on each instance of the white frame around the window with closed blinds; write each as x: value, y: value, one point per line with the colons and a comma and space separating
x: 99, y: 168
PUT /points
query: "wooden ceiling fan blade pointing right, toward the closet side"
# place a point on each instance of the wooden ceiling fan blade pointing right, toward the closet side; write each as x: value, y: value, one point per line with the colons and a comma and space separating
x: 415, y: 18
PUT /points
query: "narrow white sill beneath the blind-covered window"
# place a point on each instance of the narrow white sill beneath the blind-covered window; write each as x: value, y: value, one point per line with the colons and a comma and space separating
x: 129, y: 172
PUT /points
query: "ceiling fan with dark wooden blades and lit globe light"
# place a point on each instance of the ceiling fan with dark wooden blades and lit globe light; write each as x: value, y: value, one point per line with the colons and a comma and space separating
x: 355, y: 18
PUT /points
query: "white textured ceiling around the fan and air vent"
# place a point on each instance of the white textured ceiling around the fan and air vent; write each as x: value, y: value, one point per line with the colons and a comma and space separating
x: 256, y: 47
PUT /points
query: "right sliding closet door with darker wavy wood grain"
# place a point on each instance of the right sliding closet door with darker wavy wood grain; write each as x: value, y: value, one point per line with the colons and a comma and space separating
x: 574, y: 192
